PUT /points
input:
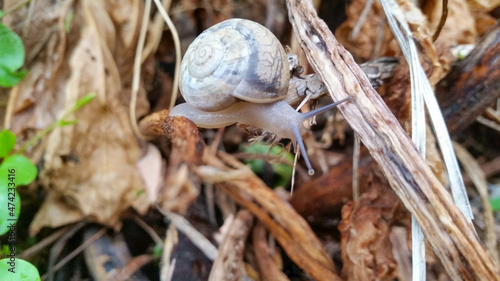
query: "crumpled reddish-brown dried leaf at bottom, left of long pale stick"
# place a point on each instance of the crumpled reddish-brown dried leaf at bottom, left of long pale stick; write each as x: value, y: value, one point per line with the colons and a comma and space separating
x: 365, y: 228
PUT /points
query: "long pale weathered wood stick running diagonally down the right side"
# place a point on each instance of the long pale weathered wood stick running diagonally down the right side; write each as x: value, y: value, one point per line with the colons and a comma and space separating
x: 450, y: 234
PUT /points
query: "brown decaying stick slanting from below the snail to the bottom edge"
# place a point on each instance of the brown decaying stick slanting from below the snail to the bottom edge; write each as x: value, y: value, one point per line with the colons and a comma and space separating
x: 290, y: 230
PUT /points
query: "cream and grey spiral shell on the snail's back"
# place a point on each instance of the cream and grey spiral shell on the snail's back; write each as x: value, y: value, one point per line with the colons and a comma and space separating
x: 235, y: 59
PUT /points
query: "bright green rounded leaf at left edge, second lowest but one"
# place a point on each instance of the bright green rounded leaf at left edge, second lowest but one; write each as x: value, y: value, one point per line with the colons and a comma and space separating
x: 17, y: 169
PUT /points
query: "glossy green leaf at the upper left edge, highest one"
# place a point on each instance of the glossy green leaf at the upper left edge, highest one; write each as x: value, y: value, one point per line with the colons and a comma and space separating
x: 11, y: 57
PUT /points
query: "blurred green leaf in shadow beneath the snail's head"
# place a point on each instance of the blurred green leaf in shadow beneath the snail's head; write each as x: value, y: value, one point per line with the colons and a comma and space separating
x: 282, y: 171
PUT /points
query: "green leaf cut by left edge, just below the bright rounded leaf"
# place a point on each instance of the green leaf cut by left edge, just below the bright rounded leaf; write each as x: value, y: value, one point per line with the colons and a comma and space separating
x: 11, y: 207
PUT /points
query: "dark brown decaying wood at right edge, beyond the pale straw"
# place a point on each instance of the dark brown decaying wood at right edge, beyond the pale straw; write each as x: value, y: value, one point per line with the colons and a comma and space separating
x: 473, y: 84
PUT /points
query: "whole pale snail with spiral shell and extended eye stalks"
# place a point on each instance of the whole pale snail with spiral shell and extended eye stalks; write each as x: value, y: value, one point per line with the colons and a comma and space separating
x: 237, y: 72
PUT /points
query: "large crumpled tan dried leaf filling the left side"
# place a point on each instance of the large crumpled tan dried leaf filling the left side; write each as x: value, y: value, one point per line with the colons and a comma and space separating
x: 89, y: 169
